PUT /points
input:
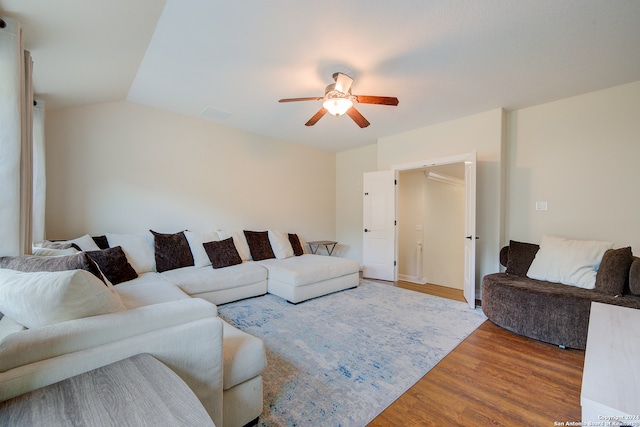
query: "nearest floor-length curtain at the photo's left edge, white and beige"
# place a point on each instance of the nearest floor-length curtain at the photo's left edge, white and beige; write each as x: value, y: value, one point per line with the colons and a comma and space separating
x: 16, y: 128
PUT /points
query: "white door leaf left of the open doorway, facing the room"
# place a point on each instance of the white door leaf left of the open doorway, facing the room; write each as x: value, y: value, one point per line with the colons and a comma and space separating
x: 379, y: 222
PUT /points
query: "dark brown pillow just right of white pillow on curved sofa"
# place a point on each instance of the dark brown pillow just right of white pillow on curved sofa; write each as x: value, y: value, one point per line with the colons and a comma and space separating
x: 613, y: 274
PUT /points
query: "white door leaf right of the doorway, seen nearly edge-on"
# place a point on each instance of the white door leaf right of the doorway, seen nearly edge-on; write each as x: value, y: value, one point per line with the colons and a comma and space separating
x: 470, y: 230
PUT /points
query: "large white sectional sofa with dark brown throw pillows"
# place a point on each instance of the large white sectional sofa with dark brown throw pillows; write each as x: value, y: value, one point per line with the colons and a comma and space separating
x: 168, y: 309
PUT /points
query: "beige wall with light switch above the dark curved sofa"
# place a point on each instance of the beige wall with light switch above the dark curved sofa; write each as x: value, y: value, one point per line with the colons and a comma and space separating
x: 580, y: 155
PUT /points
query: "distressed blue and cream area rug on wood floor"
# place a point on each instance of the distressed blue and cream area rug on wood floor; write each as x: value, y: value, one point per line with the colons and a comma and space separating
x: 341, y: 359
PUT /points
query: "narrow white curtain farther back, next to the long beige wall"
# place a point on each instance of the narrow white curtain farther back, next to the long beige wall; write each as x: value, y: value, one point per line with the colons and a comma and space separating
x: 39, y: 172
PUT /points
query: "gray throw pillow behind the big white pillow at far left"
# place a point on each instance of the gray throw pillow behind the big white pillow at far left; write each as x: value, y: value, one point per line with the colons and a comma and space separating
x: 30, y: 263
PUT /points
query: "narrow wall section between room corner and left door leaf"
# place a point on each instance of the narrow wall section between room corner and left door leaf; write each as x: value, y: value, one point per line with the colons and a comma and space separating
x: 350, y: 167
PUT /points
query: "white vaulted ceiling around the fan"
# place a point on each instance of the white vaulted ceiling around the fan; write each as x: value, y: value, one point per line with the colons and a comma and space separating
x: 233, y: 60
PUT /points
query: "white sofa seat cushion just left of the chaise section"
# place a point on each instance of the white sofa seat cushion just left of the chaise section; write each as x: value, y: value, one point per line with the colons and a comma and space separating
x: 196, y: 280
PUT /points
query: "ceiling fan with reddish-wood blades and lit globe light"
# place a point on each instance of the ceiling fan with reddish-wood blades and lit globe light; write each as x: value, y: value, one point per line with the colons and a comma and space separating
x: 338, y: 100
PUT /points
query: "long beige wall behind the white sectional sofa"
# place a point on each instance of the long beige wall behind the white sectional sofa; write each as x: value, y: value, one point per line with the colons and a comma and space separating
x: 125, y: 168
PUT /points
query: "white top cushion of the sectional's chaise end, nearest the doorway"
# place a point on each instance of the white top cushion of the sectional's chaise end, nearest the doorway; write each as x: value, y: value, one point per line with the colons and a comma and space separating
x: 308, y: 268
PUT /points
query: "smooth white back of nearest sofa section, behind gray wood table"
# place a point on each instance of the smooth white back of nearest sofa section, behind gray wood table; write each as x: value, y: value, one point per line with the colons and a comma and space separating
x: 185, y: 335
